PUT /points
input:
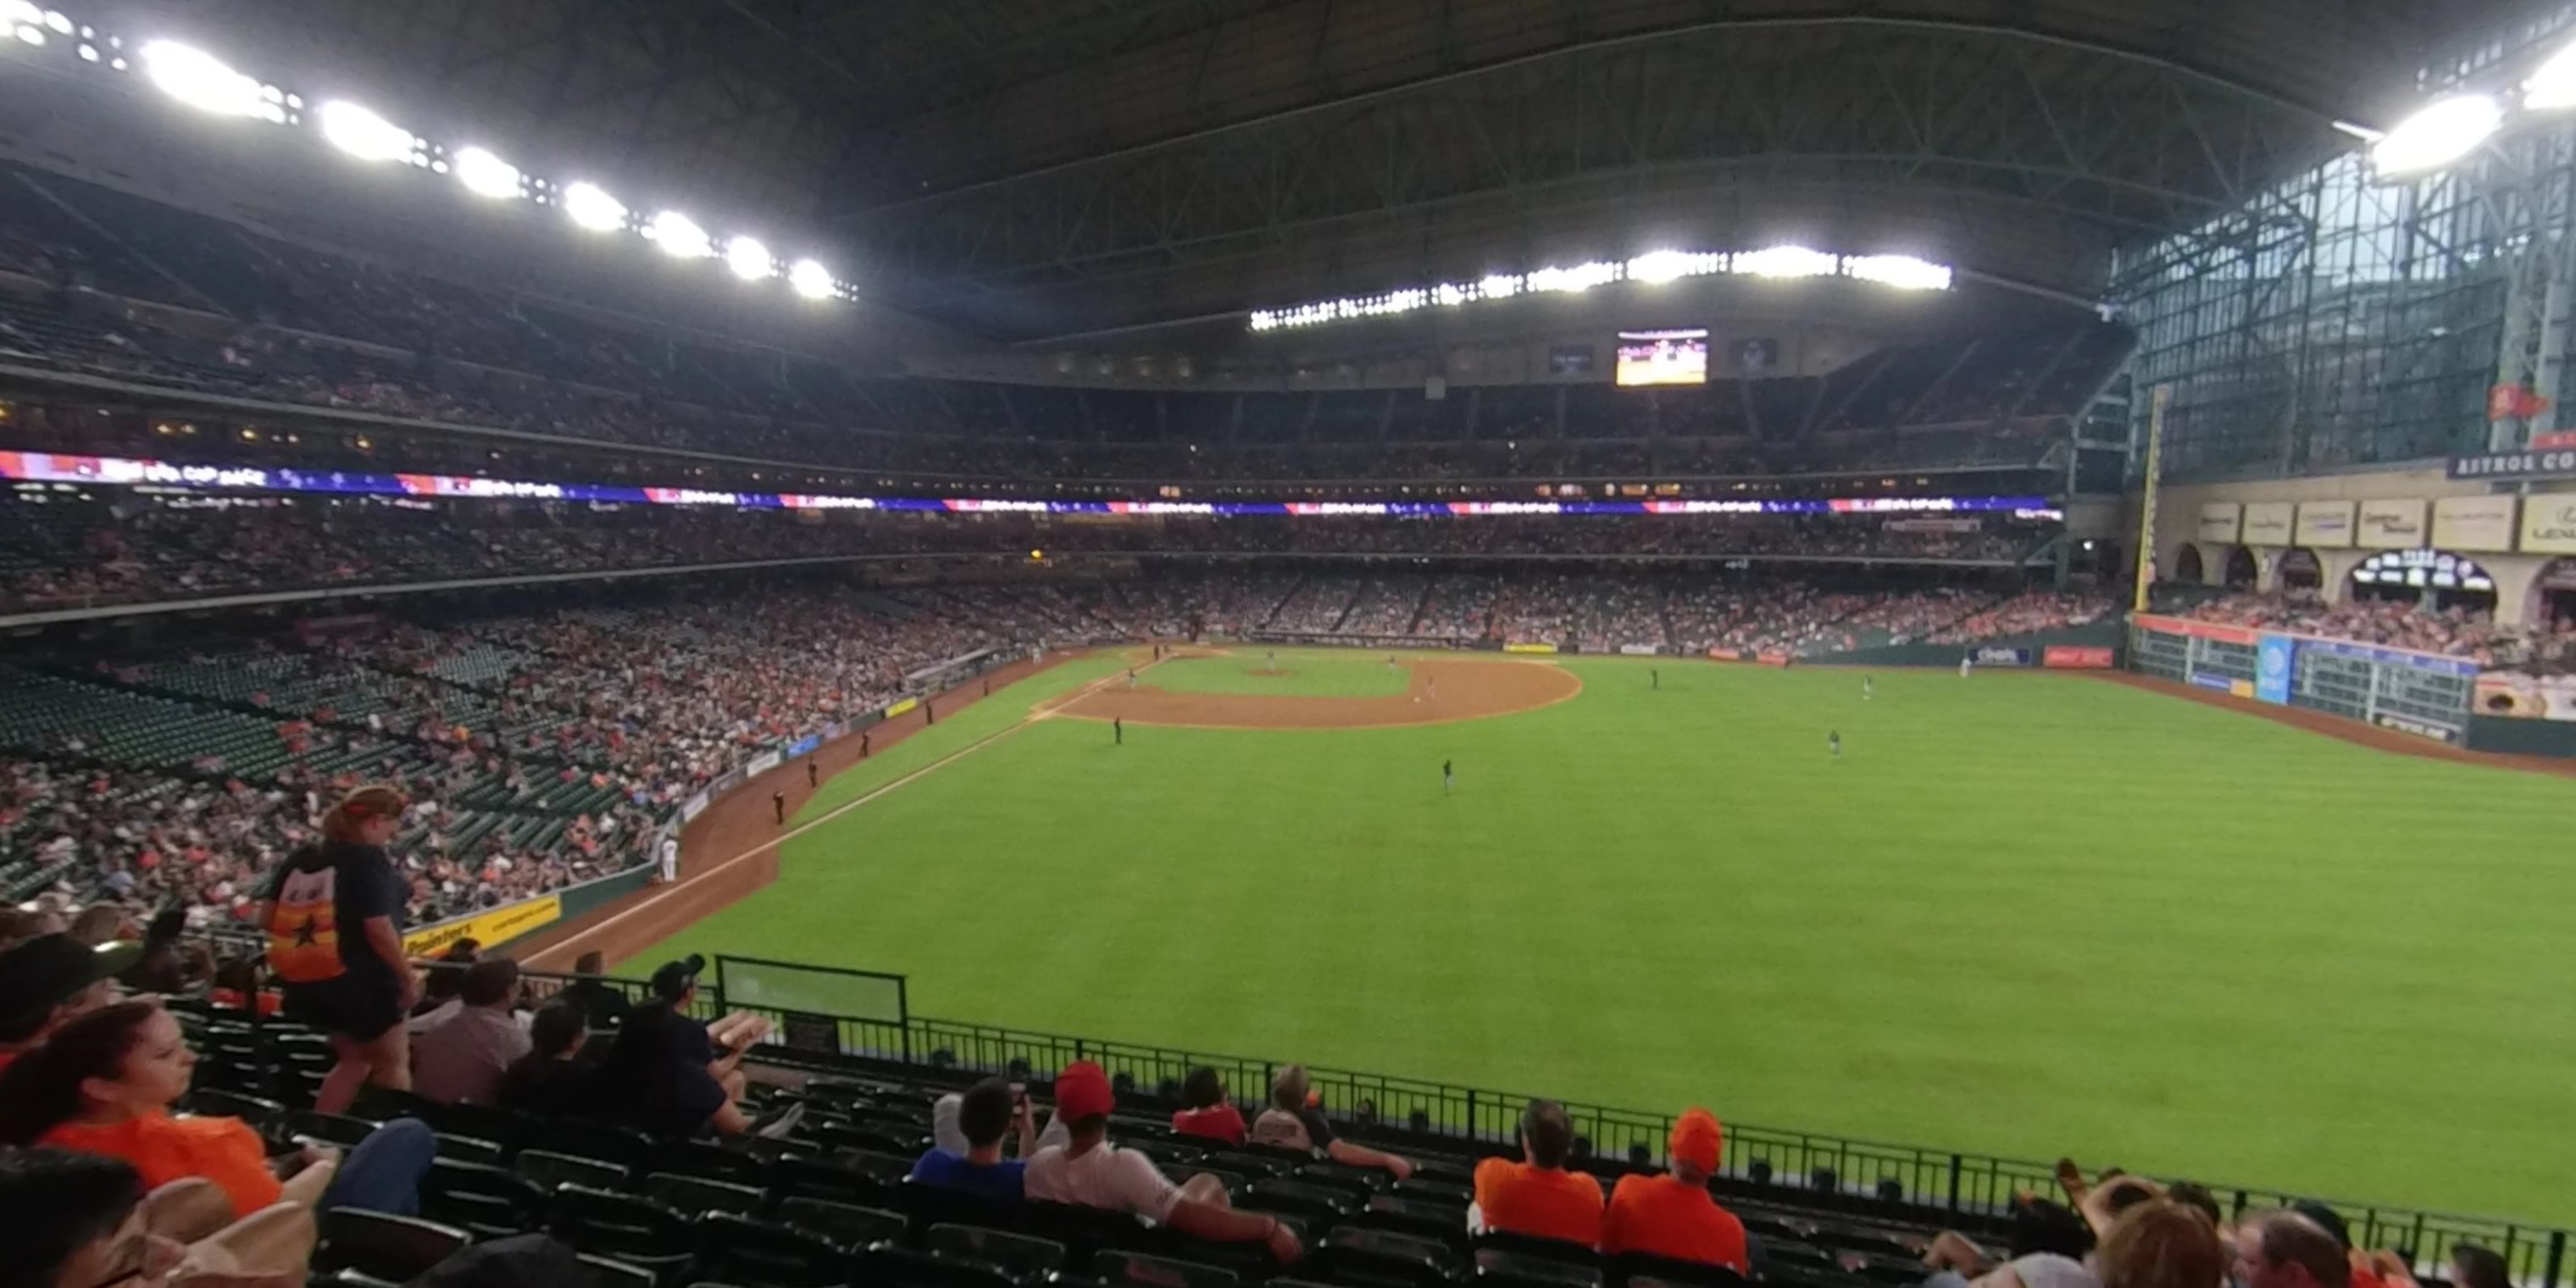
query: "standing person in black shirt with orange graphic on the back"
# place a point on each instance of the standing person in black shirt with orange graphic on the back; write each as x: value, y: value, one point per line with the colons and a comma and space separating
x: 334, y: 921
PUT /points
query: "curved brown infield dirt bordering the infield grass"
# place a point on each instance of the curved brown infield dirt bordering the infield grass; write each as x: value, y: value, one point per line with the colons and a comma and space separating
x: 1441, y: 692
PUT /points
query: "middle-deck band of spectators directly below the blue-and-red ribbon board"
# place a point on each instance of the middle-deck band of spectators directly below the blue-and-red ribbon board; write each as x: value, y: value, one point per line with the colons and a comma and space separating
x: 71, y: 553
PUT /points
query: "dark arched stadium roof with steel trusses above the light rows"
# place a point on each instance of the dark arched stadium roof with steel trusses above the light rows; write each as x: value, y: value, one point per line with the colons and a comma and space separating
x: 1081, y: 166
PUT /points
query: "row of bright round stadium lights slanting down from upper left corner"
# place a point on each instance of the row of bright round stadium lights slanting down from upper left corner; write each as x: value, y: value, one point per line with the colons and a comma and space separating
x: 207, y: 84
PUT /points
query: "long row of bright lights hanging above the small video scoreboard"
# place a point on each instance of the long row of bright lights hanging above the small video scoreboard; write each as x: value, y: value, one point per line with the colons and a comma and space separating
x: 1650, y: 269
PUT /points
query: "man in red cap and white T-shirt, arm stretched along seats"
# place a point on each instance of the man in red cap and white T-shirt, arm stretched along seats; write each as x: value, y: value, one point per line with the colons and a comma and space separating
x: 1101, y: 1176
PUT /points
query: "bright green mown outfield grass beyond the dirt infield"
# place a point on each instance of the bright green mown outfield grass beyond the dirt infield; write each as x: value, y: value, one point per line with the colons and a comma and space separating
x: 2023, y: 913
